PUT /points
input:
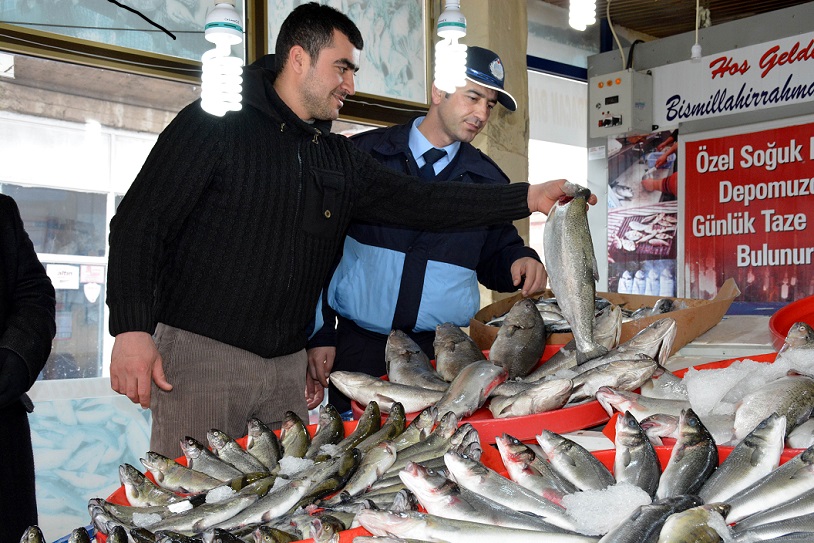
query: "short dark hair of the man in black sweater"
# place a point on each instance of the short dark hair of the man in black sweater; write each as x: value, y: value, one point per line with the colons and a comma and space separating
x: 311, y: 26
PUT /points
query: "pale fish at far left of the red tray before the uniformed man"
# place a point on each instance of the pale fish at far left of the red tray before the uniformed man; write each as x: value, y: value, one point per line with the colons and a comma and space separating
x: 365, y: 389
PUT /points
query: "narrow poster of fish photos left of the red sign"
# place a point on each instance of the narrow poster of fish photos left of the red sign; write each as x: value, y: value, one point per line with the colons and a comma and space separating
x: 643, y: 213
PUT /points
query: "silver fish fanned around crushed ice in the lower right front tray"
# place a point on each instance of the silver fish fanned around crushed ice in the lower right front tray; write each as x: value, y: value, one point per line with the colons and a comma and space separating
x: 748, y: 497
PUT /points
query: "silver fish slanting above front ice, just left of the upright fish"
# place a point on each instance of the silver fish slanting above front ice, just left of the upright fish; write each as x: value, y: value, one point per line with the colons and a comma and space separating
x: 574, y: 462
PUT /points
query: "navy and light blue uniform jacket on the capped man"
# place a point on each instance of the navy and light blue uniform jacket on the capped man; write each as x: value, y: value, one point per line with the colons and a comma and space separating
x: 397, y: 278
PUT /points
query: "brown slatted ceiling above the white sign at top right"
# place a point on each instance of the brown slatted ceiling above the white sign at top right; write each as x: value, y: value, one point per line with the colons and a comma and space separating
x: 663, y: 18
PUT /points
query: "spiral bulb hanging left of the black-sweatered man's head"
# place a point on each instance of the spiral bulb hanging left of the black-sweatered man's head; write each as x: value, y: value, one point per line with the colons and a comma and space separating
x: 221, y: 81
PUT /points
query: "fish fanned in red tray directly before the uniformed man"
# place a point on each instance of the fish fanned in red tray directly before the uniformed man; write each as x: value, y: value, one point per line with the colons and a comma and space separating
x: 510, y: 382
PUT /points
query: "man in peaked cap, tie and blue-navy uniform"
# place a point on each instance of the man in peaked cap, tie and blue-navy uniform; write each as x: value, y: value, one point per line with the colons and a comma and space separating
x: 422, y: 279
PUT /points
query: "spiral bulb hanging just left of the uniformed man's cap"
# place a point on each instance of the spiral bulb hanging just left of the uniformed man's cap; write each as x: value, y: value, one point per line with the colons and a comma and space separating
x: 450, y: 55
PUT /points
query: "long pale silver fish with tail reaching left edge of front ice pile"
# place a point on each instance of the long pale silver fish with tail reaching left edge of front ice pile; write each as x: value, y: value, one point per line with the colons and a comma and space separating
x: 473, y: 475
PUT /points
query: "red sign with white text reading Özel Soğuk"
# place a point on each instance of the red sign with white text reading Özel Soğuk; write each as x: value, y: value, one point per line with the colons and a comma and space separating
x: 748, y: 212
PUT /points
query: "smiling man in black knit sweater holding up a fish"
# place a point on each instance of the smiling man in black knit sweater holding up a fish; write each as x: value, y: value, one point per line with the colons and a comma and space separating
x: 220, y: 248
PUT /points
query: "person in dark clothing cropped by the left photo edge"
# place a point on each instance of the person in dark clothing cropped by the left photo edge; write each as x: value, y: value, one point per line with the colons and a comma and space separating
x: 27, y: 326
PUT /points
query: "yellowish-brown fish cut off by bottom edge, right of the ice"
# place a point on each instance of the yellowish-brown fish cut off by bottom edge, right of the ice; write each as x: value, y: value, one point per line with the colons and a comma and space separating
x: 700, y: 524
